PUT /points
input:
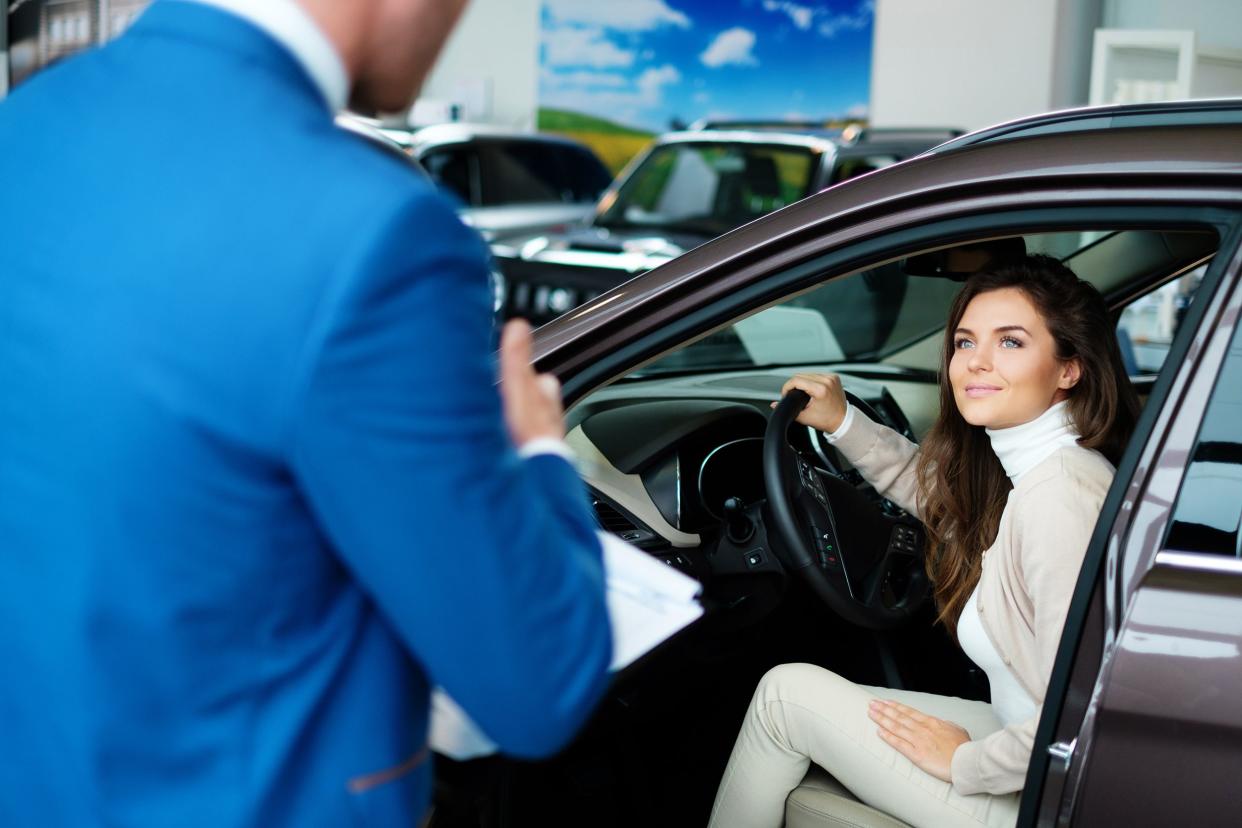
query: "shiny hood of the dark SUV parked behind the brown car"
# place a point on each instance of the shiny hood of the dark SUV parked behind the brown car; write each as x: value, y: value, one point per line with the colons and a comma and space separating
x: 634, y: 250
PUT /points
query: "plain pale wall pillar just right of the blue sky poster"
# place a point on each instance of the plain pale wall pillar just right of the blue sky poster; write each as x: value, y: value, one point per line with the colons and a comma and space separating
x: 974, y: 63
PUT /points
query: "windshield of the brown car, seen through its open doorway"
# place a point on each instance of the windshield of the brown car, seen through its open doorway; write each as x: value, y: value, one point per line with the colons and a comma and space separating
x: 863, y: 317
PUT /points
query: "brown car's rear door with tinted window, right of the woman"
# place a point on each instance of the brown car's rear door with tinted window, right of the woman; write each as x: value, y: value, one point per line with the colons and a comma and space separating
x: 1143, y: 718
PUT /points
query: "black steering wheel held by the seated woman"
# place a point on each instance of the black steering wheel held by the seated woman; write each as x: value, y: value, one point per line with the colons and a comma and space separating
x: 868, y: 567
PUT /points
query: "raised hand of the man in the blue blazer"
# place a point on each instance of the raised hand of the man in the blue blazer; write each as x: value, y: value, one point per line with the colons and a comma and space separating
x: 532, y: 402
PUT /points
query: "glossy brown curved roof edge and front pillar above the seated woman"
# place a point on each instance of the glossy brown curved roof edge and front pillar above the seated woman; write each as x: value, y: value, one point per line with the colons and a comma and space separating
x: 1194, y: 158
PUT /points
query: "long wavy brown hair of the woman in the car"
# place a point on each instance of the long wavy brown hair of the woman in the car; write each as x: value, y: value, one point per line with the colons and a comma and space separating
x: 962, y: 485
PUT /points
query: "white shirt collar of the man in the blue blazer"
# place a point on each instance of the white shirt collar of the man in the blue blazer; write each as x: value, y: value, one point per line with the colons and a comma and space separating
x: 290, y: 25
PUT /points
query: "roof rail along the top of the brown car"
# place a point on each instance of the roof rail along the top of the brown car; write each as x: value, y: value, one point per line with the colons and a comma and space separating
x: 1171, y: 114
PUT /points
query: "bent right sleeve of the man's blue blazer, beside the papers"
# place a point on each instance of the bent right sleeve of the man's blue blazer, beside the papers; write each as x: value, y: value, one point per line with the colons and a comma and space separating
x: 486, y: 565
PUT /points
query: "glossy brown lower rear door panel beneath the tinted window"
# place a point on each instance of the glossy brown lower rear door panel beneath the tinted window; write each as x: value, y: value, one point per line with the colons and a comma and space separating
x: 1168, y: 722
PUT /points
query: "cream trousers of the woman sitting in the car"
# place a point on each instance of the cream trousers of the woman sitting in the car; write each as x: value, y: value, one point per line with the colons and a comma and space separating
x: 802, y: 713
